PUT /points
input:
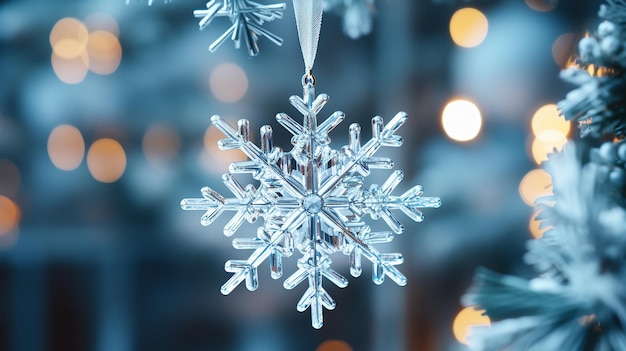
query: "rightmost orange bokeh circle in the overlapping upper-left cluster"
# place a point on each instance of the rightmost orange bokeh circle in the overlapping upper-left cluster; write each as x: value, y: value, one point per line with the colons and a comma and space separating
x: 105, y: 52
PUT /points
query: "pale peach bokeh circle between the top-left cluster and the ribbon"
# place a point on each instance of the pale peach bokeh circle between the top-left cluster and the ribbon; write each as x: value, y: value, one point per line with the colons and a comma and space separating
x: 228, y: 82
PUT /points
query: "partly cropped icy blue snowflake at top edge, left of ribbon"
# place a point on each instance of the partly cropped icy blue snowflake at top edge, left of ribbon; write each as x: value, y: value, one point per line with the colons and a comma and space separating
x: 247, y: 18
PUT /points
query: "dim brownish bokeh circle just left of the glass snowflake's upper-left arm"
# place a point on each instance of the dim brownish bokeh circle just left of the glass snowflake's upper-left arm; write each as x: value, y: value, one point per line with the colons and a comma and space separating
x: 160, y: 144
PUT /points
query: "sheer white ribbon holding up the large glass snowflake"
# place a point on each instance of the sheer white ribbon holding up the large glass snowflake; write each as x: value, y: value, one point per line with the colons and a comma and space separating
x: 309, y: 23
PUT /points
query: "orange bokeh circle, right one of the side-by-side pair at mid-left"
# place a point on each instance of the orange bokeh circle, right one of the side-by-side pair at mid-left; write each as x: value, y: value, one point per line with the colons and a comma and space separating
x: 106, y: 160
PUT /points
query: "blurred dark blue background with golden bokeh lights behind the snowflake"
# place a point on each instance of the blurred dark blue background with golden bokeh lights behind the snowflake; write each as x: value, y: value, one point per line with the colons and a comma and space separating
x: 104, y: 127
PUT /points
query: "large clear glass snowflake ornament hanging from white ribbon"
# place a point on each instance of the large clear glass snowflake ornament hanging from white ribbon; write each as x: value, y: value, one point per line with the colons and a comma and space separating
x: 313, y: 201
